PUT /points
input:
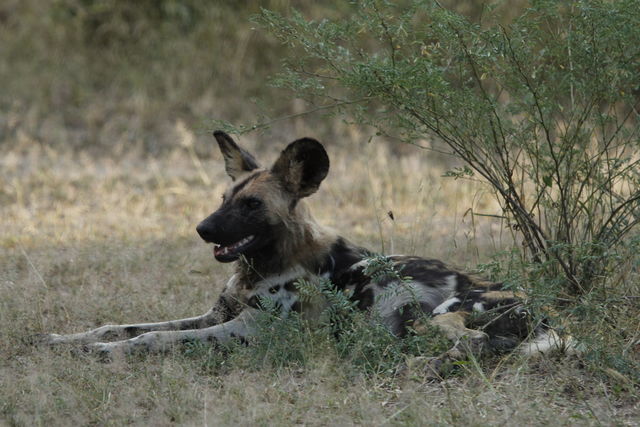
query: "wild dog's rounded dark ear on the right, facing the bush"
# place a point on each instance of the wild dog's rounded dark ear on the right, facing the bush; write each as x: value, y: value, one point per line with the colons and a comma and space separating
x: 302, y: 166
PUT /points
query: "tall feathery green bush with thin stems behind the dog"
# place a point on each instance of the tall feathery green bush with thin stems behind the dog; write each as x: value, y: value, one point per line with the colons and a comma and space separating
x: 544, y: 109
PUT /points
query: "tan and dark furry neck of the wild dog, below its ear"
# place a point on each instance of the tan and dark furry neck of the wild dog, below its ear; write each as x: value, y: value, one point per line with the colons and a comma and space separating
x: 299, y: 240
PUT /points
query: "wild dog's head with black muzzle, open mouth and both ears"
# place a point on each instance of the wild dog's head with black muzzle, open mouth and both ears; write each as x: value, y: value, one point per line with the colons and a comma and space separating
x: 259, y: 206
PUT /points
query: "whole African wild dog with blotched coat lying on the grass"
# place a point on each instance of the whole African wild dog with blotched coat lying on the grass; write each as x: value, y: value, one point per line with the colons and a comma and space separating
x: 265, y: 227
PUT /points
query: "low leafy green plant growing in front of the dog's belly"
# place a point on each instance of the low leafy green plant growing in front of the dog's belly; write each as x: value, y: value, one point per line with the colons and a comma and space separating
x: 341, y: 332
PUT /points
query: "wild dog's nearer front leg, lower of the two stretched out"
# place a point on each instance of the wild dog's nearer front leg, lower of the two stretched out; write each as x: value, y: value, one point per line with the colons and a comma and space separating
x: 240, y: 327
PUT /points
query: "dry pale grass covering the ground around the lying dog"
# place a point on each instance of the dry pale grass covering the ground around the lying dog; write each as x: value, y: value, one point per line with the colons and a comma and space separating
x: 89, y: 240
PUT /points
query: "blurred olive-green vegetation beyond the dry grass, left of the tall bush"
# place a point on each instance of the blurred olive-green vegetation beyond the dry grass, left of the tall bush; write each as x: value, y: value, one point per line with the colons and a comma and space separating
x: 117, y: 75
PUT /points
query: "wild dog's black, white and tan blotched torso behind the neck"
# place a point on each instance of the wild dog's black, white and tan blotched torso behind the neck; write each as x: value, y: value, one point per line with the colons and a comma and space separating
x: 400, y: 289
